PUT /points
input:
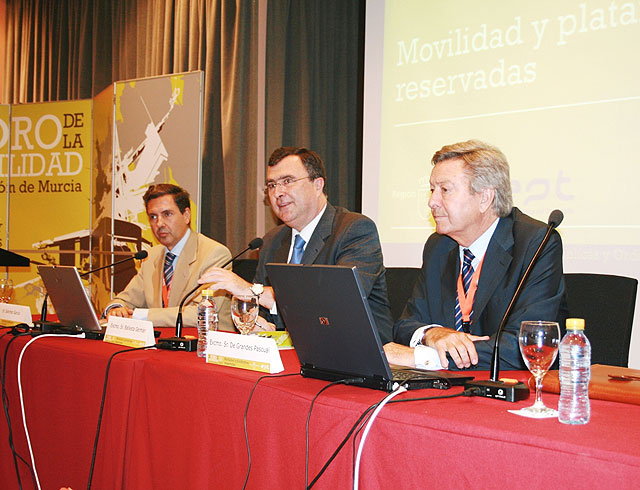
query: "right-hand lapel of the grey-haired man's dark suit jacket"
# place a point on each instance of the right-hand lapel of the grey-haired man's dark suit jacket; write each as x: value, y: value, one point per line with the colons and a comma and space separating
x: 495, y: 265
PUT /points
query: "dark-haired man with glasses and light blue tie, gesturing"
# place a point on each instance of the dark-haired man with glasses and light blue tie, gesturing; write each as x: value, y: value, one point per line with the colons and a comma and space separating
x: 313, y: 232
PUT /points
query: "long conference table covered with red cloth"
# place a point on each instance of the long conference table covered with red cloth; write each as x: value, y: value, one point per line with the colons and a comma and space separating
x: 172, y: 421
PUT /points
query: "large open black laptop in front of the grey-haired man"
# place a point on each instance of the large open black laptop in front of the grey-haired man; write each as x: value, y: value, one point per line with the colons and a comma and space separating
x: 327, y: 314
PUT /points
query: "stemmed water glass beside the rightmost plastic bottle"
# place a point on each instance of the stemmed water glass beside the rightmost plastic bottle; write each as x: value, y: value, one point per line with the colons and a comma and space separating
x: 539, y: 342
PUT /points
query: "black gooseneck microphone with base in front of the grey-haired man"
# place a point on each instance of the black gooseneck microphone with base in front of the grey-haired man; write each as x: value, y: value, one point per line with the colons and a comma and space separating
x: 494, y: 388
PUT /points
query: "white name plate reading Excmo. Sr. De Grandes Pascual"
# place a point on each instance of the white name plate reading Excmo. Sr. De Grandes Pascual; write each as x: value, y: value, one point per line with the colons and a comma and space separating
x: 244, y: 351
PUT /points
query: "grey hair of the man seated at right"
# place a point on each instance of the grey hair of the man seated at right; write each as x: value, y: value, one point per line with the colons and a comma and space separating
x: 487, y: 168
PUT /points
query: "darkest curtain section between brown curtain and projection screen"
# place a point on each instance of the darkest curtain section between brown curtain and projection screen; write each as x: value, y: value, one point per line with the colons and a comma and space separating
x: 315, y: 59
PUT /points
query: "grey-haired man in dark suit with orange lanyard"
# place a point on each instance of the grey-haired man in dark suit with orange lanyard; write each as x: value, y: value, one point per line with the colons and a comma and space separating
x: 472, y: 266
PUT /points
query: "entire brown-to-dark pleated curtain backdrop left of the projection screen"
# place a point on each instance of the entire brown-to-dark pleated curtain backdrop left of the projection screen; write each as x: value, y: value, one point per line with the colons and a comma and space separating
x: 73, y: 49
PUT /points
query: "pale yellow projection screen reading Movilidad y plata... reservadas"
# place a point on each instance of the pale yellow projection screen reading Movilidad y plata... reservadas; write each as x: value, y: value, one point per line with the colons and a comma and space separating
x: 555, y: 85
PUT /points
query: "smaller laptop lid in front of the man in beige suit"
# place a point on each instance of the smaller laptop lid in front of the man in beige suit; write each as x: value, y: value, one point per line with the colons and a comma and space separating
x: 69, y: 297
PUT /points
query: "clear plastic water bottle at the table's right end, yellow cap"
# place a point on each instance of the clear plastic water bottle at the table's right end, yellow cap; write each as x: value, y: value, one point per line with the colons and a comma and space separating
x: 575, y: 373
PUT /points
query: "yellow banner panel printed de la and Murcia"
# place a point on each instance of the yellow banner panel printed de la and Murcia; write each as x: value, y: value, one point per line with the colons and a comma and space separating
x: 47, y: 170
